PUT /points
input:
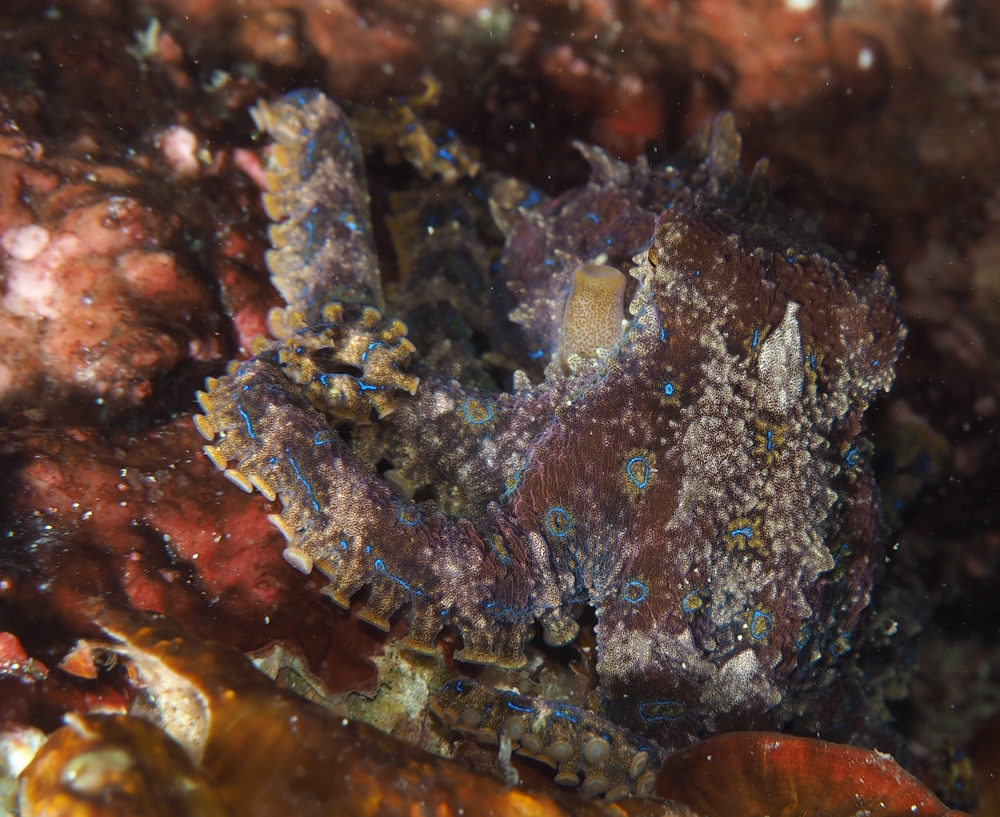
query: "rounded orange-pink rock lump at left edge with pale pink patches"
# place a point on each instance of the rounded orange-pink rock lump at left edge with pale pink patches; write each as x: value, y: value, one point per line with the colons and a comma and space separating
x: 96, y: 310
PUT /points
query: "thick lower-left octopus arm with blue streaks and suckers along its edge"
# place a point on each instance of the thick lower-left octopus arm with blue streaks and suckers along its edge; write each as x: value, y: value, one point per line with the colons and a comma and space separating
x: 346, y: 522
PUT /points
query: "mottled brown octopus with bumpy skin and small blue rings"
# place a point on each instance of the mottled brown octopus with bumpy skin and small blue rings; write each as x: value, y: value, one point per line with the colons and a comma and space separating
x: 704, y: 484
